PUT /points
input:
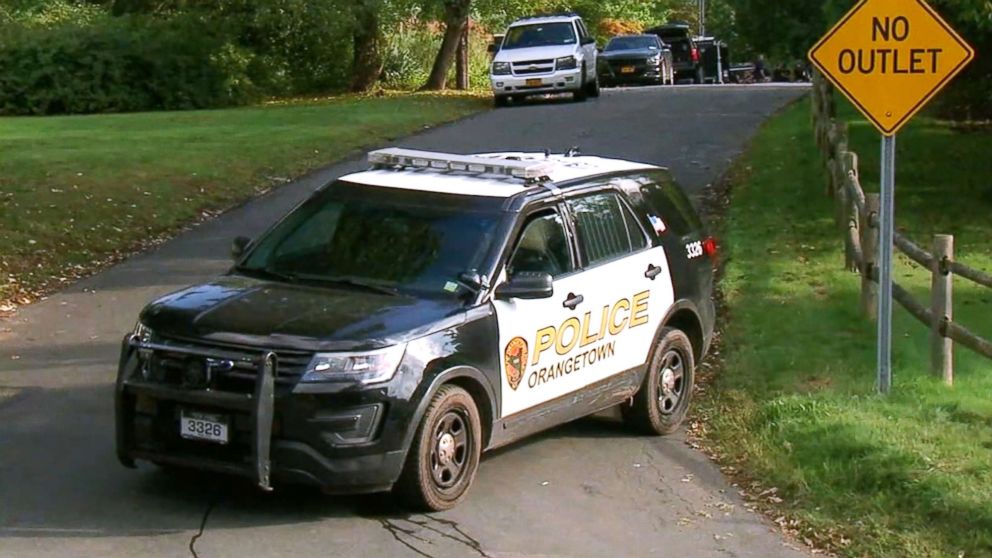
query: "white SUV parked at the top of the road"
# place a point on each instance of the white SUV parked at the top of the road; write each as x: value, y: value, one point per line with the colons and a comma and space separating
x: 543, y: 55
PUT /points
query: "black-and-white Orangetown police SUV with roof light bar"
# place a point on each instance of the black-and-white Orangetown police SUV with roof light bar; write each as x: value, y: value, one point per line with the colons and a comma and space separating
x: 405, y: 319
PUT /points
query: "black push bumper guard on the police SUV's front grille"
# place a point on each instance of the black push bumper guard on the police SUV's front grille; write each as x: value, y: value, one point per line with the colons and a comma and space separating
x: 260, y: 404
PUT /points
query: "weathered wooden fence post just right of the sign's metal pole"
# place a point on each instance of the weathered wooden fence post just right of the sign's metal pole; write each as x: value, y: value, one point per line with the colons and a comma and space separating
x: 941, y: 291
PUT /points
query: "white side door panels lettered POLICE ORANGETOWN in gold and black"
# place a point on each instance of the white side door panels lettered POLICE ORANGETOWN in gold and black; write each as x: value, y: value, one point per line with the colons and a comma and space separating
x: 599, y: 323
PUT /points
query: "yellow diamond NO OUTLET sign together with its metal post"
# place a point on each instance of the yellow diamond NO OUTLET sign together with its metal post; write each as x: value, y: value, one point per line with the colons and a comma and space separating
x: 890, y: 57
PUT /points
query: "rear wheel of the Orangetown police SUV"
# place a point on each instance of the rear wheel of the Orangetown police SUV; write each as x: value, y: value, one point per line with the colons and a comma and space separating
x: 660, y: 405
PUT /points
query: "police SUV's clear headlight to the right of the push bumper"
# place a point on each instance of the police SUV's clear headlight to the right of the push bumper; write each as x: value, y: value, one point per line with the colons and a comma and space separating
x: 368, y: 367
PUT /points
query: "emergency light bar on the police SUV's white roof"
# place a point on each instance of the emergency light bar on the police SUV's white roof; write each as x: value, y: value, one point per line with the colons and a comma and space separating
x: 394, y: 157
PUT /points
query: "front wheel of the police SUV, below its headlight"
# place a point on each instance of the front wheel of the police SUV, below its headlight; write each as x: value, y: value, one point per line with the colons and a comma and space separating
x: 444, y: 455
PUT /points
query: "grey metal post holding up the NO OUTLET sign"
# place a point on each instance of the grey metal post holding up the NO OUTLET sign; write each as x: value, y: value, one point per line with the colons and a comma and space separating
x: 886, y: 226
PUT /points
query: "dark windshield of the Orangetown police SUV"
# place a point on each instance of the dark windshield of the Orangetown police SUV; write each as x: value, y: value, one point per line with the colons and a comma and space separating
x: 382, y: 239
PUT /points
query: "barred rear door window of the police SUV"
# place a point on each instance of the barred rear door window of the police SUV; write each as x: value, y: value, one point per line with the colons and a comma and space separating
x: 606, y: 228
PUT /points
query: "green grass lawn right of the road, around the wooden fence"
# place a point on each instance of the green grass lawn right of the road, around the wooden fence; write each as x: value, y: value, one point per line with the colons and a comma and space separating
x: 794, y: 404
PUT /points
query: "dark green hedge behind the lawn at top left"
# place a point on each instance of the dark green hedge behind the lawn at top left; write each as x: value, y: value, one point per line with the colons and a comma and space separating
x: 121, y: 64
